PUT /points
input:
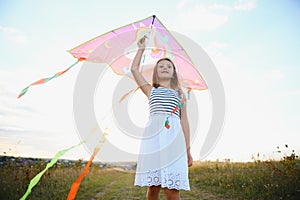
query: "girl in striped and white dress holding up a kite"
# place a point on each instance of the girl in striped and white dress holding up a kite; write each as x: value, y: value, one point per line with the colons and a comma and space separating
x: 165, y: 148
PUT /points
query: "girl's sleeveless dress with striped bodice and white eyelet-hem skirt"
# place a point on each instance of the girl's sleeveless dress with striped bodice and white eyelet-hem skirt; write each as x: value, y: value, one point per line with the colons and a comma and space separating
x: 163, y: 158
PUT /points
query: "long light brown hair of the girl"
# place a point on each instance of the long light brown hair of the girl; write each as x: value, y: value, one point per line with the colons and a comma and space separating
x: 174, y: 80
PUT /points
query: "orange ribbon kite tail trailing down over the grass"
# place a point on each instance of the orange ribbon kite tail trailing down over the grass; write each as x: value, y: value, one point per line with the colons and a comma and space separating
x: 76, y: 184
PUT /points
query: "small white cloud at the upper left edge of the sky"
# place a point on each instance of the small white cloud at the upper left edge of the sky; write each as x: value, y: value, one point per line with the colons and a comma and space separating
x: 14, y: 35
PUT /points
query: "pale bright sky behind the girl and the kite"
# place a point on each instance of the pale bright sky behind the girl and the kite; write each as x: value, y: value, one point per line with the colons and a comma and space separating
x: 254, y: 45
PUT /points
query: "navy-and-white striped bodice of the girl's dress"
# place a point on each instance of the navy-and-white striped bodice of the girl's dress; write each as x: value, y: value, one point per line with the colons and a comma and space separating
x: 163, y: 101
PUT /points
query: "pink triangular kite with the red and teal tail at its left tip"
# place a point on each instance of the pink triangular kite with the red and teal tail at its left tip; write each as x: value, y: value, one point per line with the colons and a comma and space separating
x: 117, y: 48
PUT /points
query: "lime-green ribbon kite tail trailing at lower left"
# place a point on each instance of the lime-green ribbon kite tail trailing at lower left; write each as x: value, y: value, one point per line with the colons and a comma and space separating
x: 37, y: 178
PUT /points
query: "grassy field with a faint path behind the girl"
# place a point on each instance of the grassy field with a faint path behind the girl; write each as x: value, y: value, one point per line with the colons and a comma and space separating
x: 208, y: 180
